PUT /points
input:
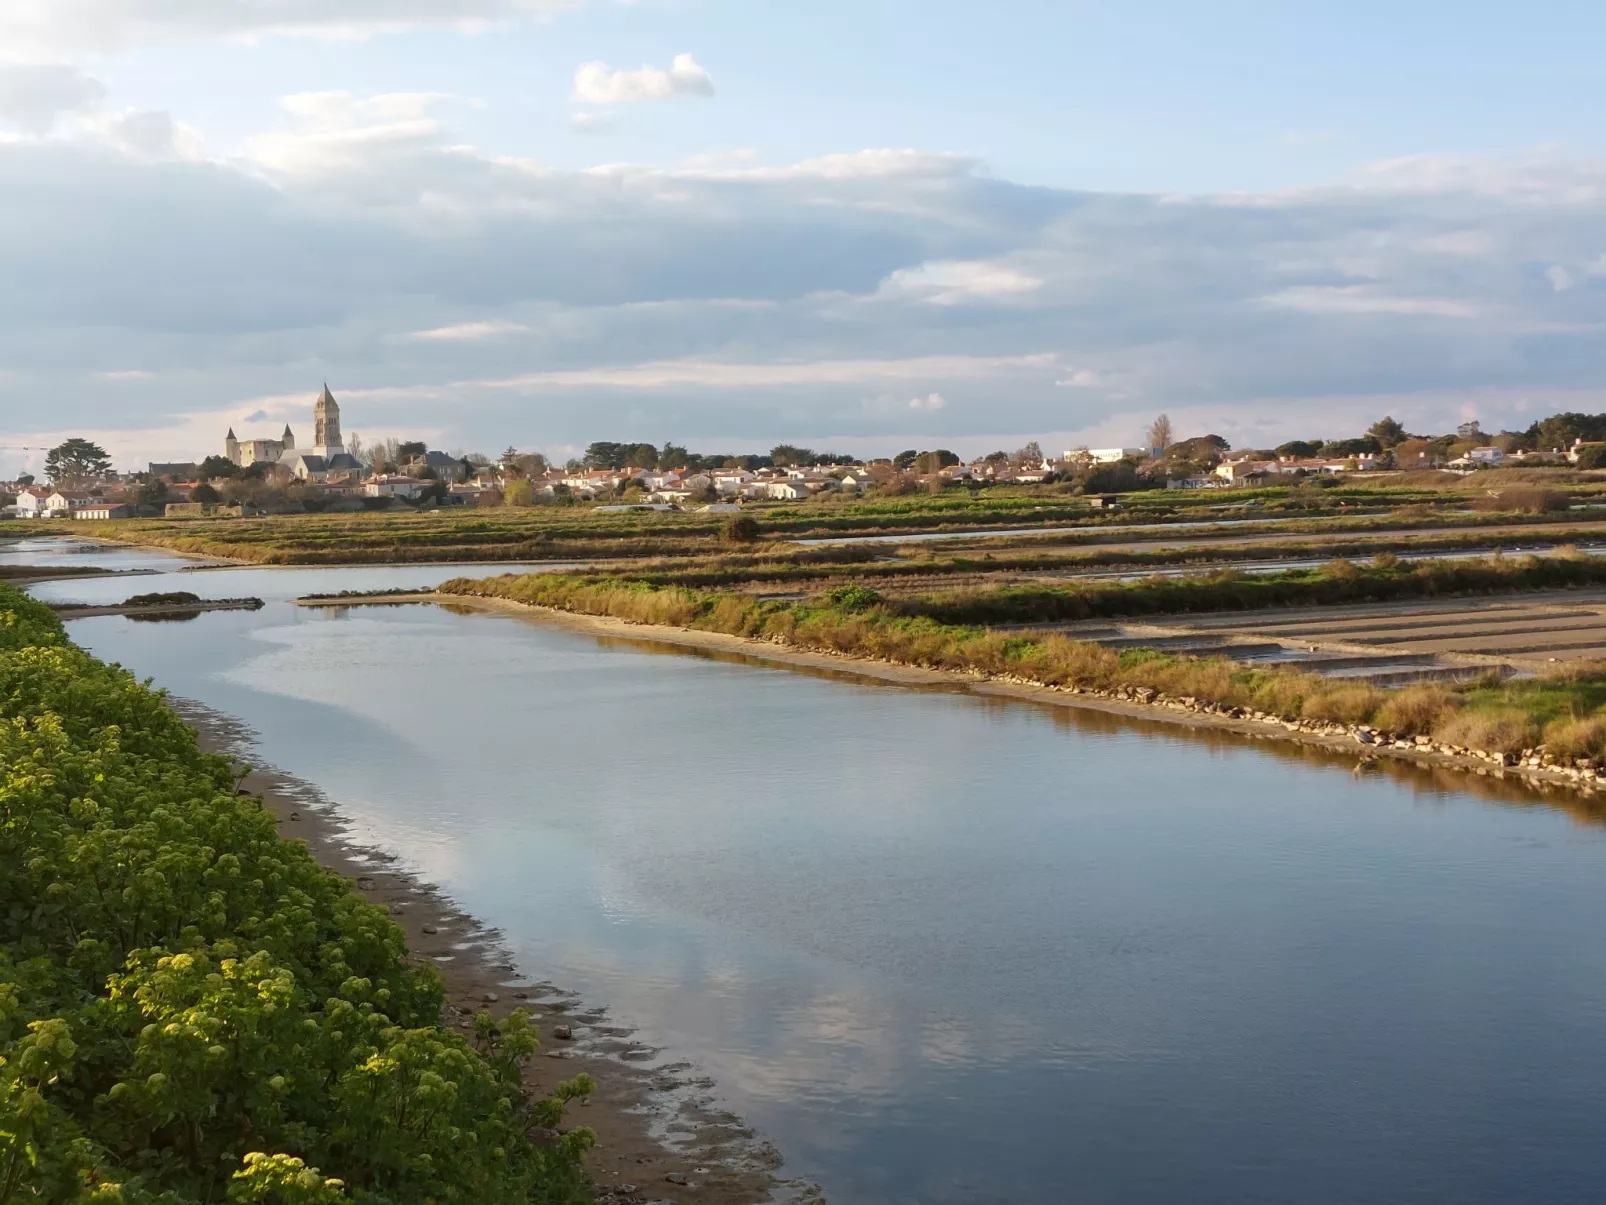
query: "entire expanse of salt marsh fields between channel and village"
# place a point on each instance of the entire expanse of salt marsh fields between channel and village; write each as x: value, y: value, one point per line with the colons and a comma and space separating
x: 1326, y: 598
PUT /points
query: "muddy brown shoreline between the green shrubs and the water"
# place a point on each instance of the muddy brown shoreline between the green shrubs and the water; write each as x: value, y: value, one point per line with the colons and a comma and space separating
x: 654, y: 1119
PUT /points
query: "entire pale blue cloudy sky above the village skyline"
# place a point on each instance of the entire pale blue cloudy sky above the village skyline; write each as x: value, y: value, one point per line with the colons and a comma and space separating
x: 862, y: 227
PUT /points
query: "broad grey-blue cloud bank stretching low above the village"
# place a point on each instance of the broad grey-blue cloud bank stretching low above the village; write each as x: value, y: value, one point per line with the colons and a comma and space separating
x: 870, y: 298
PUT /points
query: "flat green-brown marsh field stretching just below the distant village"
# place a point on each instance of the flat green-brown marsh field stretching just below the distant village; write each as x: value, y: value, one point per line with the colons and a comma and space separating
x: 987, y: 521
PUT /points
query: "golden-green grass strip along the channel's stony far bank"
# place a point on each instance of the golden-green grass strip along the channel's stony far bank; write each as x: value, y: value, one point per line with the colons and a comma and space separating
x: 1555, y: 719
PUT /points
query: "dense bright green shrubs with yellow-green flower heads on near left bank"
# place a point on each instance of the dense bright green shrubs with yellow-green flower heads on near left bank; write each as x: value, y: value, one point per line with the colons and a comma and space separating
x: 192, y: 1010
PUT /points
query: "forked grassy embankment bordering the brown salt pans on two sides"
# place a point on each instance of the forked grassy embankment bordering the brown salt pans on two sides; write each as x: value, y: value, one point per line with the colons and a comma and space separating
x: 948, y: 632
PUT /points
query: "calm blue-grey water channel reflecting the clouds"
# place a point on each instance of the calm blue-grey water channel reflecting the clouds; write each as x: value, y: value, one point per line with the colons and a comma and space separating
x: 948, y: 950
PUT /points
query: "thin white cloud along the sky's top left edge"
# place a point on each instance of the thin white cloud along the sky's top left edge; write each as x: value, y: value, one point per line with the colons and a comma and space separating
x: 76, y: 27
